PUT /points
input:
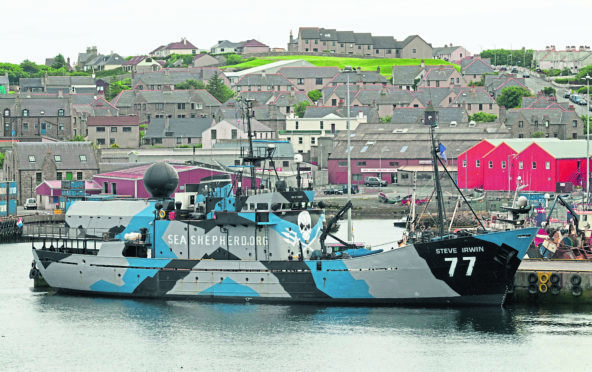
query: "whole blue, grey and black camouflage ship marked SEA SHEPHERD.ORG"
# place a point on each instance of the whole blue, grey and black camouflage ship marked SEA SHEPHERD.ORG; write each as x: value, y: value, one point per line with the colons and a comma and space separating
x: 247, y: 244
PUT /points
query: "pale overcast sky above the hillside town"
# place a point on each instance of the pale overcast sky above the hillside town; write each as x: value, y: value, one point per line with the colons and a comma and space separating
x: 37, y: 29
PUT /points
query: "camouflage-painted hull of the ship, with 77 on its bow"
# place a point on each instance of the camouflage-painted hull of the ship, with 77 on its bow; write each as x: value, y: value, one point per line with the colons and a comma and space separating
x: 450, y: 272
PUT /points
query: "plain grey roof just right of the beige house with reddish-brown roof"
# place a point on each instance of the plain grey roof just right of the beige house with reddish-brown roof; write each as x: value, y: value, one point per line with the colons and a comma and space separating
x: 178, y: 127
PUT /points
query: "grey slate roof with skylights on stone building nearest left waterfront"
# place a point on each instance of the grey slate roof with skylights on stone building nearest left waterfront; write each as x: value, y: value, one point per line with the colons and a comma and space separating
x: 69, y: 153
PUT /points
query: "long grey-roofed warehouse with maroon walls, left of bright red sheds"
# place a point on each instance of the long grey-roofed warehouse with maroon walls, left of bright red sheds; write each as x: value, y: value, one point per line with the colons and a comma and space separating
x: 395, y: 153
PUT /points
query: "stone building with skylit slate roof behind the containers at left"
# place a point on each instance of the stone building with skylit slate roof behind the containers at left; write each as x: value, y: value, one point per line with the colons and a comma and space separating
x: 31, y: 163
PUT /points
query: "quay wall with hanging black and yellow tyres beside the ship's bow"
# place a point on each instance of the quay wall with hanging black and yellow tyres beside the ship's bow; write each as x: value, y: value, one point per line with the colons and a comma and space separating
x: 539, y: 281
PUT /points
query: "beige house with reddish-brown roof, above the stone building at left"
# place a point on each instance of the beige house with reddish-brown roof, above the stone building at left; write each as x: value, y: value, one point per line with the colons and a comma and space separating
x: 123, y: 131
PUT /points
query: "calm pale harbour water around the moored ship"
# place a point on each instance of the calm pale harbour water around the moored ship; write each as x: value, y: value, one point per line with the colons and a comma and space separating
x: 42, y: 331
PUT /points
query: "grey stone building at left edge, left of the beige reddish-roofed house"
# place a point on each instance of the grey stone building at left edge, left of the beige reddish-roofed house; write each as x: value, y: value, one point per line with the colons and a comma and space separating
x: 34, y: 116
